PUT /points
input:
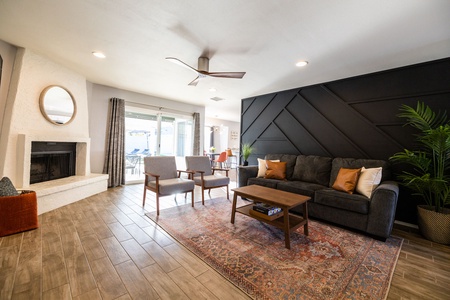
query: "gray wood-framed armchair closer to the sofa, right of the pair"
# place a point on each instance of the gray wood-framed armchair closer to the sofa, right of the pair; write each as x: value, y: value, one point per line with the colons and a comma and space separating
x: 204, y: 174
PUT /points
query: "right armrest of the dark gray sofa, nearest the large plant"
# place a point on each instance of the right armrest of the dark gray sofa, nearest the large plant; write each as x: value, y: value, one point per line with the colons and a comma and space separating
x: 383, y: 205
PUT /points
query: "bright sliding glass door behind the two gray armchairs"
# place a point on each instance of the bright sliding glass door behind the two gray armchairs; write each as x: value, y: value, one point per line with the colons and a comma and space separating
x: 149, y: 132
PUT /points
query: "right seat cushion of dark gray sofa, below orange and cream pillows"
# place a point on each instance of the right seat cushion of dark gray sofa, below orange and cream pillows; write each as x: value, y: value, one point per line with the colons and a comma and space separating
x: 333, y: 198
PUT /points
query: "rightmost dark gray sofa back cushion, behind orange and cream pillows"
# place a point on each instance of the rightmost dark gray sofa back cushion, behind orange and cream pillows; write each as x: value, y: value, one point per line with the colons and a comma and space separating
x: 353, y: 163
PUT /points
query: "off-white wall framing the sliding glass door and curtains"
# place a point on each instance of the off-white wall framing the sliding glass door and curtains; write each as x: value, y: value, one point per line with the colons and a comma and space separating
x: 99, y: 96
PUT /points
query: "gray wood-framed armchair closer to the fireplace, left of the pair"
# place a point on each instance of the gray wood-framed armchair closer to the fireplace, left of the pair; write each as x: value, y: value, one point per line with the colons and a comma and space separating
x: 163, y: 178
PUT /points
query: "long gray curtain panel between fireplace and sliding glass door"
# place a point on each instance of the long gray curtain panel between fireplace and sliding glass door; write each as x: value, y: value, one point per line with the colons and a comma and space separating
x: 115, y: 144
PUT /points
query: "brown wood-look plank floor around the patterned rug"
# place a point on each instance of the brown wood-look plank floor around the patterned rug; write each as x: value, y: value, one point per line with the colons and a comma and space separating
x: 103, y: 247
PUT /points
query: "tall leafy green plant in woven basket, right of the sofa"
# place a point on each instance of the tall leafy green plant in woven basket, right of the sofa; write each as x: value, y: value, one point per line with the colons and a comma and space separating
x: 430, y: 174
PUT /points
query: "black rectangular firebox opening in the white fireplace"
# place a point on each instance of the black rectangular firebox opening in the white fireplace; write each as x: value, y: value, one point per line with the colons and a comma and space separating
x: 52, y: 160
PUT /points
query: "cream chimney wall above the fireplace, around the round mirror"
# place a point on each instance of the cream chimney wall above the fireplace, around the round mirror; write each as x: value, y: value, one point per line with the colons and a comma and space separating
x: 31, y: 74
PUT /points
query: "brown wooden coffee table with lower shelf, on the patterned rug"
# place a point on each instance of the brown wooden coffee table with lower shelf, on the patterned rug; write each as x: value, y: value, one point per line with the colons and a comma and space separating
x: 288, y: 222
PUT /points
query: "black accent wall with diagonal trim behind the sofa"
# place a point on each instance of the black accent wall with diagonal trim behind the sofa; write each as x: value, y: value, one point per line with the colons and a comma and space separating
x: 352, y: 117
